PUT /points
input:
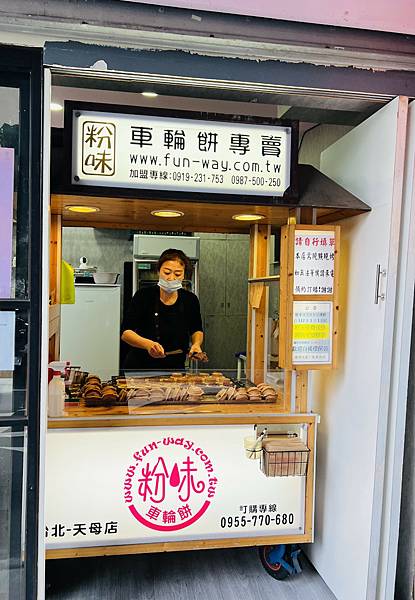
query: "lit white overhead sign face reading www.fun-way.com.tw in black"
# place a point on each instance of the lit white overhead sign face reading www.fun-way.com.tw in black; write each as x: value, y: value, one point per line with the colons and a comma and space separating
x: 138, y: 151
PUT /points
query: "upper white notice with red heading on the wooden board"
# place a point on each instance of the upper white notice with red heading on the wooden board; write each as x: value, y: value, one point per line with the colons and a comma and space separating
x: 314, y: 262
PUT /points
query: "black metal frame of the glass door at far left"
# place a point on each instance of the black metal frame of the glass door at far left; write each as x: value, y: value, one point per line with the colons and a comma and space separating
x: 22, y: 68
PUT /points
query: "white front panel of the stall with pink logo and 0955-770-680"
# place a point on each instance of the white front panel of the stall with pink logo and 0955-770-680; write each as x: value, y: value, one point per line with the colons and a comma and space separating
x: 149, y: 484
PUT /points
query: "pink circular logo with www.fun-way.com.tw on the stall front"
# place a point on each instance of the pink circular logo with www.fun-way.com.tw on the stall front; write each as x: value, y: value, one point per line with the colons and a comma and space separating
x: 169, y: 484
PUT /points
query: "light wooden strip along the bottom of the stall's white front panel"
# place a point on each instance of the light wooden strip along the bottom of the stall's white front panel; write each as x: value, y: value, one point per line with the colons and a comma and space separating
x: 176, y: 546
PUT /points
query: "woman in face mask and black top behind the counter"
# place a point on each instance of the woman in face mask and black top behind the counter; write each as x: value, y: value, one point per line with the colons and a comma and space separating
x: 162, y: 319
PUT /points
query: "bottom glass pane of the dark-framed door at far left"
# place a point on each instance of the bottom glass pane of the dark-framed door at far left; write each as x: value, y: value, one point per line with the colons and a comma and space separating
x: 12, y: 469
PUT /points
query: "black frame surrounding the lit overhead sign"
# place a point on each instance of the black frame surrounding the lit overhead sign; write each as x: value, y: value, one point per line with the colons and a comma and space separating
x: 289, y: 198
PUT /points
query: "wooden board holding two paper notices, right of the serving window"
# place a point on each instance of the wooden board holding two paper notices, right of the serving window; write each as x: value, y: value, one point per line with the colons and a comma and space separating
x: 309, y: 285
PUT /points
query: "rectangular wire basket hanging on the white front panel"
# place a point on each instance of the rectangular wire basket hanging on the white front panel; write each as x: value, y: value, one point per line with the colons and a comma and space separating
x: 284, y: 463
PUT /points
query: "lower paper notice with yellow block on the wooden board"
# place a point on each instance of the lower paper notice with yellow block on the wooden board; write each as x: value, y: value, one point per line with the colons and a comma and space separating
x: 312, y: 332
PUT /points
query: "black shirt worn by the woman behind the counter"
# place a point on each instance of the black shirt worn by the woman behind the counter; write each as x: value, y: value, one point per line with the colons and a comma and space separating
x: 170, y: 325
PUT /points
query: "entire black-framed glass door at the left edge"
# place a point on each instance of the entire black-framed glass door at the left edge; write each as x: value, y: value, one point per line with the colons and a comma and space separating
x: 20, y: 294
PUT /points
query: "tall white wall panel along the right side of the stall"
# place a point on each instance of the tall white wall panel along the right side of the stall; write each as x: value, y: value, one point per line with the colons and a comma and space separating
x: 349, y: 398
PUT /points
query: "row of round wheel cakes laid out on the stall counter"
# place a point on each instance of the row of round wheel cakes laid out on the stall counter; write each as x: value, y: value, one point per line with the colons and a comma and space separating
x: 169, y: 389
